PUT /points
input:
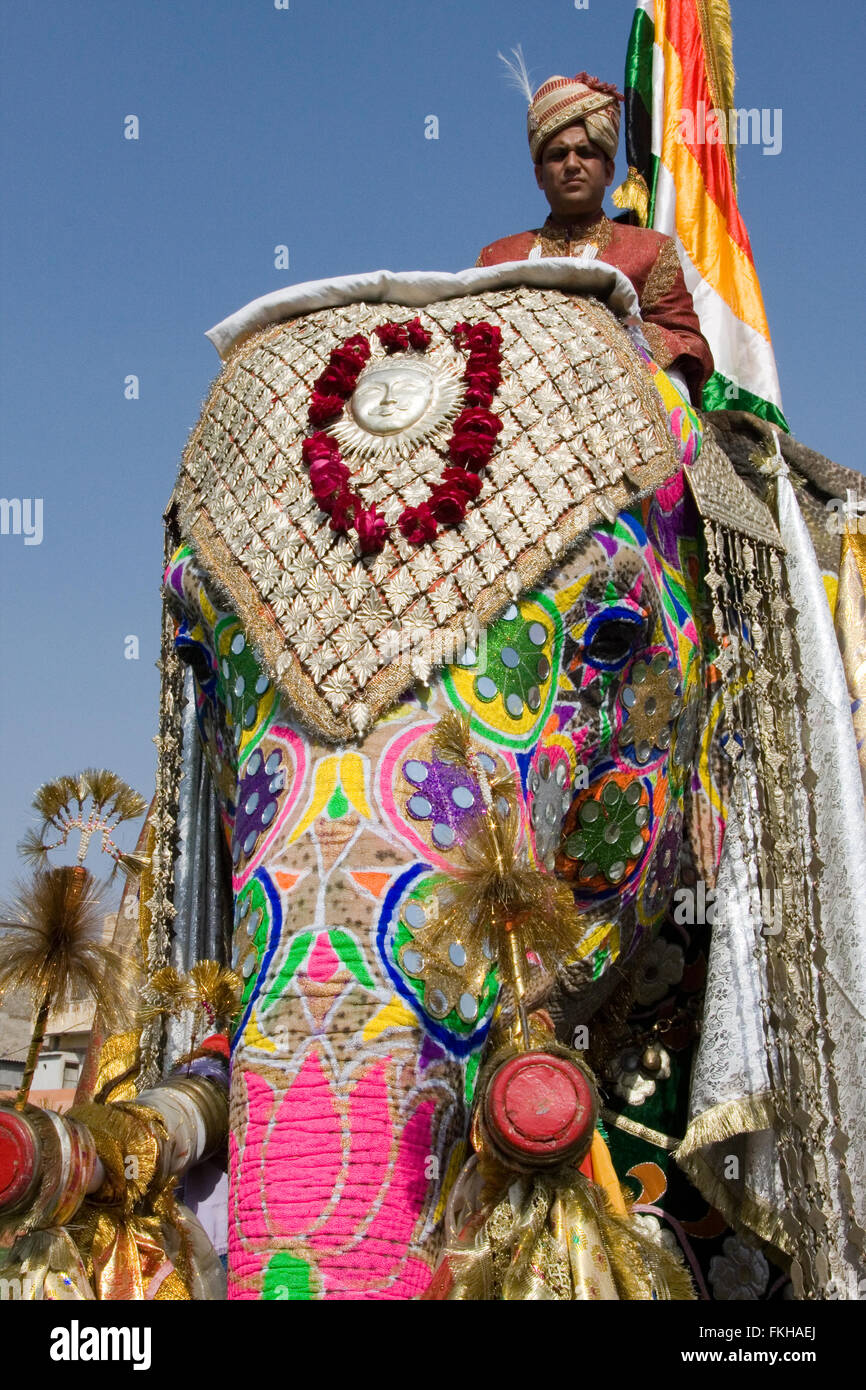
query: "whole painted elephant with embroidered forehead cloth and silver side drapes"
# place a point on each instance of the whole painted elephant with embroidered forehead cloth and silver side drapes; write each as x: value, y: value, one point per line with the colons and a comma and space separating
x: 420, y: 497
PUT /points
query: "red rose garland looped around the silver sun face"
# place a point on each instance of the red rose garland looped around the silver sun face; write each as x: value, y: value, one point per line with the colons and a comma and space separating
x: 471, y: 445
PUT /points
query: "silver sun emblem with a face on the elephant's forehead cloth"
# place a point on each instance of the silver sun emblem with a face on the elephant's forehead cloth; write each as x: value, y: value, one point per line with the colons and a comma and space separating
x: 398, y: 404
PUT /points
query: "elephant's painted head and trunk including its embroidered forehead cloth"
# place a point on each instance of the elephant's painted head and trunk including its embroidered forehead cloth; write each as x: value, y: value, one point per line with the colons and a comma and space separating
x: 561, y: 619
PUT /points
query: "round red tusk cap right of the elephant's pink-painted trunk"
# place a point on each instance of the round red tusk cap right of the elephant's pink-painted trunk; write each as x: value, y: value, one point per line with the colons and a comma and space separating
x: 540, y: 1110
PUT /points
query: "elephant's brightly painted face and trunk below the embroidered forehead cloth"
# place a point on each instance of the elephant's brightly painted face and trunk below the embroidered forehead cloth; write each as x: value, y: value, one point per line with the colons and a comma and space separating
x: 357, y: 1049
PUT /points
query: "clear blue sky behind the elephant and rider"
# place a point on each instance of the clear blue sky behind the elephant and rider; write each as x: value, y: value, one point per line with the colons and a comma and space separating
x: 304, y: 127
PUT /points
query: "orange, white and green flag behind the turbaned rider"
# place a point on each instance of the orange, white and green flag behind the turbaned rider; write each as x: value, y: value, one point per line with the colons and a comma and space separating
x: 680, y: 136
